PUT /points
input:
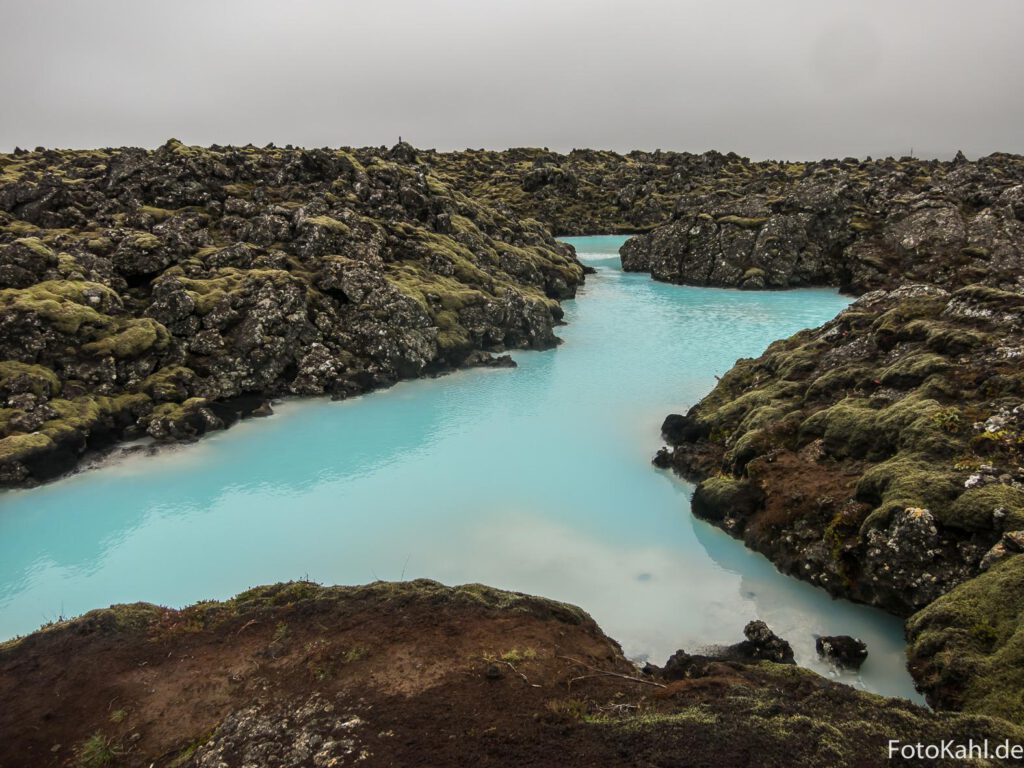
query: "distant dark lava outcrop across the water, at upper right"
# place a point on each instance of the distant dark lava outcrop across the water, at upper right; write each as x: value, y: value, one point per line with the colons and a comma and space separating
x: 858, y: 225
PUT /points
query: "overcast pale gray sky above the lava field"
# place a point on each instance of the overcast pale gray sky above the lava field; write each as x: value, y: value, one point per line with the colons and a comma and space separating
x: 783, y: 79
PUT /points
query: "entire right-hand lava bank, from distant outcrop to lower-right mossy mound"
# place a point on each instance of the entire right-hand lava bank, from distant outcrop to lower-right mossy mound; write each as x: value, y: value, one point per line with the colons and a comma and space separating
x: 879, y: 456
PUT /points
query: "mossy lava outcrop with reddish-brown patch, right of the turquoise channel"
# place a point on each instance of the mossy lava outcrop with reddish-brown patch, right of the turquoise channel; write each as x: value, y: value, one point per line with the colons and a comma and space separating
x: 878, y: 456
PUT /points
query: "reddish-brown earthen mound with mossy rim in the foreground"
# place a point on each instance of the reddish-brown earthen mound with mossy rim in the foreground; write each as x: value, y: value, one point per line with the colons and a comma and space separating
x: 418, y: 674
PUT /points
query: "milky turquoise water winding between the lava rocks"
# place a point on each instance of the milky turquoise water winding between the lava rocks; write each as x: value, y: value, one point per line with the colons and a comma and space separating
x: 536, y: 480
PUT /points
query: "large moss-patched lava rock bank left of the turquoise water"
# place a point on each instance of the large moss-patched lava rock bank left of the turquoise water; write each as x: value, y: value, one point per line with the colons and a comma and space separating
x: 148, y: 293
